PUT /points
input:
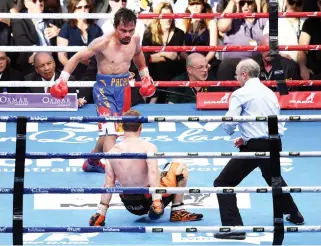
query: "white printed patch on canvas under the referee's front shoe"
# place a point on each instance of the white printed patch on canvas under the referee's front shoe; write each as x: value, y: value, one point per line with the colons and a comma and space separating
x: 251, y: 238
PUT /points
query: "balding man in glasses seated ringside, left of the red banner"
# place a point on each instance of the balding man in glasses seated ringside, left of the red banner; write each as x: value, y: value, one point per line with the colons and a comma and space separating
x: 197, y: 69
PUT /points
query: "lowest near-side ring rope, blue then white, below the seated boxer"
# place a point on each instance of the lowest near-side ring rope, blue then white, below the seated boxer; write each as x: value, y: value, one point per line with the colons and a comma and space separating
x: 164, y: 229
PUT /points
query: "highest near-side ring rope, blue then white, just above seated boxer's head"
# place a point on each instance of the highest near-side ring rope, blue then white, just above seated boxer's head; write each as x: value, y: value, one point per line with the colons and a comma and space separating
x: 152, y: 119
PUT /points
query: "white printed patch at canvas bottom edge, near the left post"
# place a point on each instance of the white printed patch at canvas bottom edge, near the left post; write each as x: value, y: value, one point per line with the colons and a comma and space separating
x: 58, y: 238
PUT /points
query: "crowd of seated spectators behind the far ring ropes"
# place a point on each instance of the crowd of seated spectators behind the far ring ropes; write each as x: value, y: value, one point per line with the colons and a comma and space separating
x: 163, y: 66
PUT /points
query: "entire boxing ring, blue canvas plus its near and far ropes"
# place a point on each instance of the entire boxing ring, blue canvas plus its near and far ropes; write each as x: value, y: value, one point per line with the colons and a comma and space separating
x: 59, y: 198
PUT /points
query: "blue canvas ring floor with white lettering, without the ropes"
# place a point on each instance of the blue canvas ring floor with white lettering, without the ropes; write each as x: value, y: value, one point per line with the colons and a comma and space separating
x: 72, y: 211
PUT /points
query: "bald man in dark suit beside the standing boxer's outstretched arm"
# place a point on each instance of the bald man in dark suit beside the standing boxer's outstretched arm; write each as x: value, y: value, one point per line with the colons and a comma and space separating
x: 45, y: 70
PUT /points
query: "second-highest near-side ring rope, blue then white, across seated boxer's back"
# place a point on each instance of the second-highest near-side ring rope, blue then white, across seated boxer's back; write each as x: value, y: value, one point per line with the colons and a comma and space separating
x: 159, y: 155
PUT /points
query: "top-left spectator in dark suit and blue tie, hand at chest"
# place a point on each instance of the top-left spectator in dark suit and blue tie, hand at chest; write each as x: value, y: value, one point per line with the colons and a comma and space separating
x: 35, y: 32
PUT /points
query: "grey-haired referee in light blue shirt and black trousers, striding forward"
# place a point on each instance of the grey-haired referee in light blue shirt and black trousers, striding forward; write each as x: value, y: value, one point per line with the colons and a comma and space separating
x: 252, y: 99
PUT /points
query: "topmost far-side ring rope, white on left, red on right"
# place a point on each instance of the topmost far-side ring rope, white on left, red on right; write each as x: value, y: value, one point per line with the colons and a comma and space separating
x: 159, y: 16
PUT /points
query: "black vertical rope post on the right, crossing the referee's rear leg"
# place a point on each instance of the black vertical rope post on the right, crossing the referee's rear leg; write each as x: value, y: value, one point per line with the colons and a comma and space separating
x: 275, y: 148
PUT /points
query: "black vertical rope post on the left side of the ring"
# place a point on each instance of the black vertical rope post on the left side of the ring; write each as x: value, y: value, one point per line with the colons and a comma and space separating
x: 18, y: 188
